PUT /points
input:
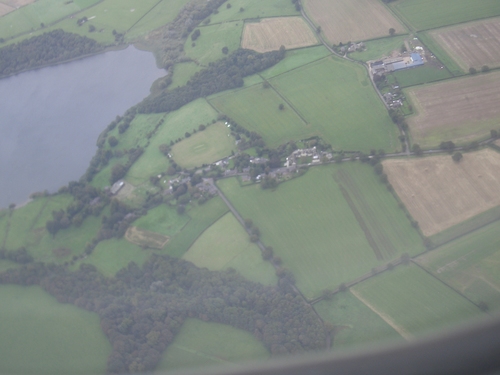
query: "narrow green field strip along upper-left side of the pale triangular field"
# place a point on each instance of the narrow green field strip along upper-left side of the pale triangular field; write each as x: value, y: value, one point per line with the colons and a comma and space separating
x: 200, y: 218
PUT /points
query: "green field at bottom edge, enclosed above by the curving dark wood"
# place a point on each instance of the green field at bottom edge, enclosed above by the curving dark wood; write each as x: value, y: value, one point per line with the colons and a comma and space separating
x: 203, y: 344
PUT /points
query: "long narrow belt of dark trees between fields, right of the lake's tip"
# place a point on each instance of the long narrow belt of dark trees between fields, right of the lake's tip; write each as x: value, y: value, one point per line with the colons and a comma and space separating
x: 224, y: 74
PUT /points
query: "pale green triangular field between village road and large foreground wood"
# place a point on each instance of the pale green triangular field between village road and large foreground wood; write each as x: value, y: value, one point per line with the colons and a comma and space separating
x: 227, y: 245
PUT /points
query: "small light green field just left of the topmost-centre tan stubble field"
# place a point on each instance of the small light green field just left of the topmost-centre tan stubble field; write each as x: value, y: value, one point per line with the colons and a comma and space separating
x: 208, y: 47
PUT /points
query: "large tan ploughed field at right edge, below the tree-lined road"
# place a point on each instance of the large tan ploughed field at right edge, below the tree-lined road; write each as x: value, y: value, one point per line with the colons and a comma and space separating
x: 440, y: 193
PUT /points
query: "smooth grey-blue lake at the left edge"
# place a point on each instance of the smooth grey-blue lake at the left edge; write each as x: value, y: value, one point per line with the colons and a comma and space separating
x: 50, y: 118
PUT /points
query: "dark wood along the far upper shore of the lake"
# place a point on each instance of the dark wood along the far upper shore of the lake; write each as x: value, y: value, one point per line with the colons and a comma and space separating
x: 48, y: 48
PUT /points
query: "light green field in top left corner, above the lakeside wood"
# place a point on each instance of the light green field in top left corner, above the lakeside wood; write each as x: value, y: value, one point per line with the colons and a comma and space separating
x: 30, y: 17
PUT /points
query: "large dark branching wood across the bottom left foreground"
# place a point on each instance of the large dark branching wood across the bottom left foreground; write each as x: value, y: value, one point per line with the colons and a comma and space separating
x: 142, y: 309
